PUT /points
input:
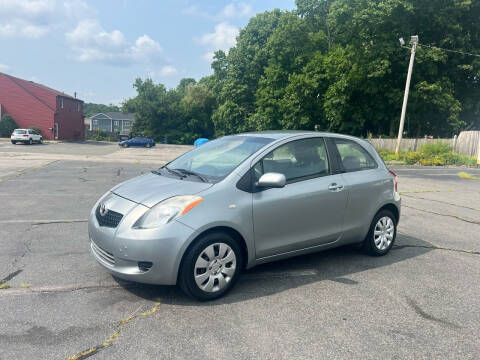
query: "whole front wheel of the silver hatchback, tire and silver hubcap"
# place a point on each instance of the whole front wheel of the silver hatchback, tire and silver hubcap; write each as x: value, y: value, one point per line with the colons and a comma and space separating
x: 211, y: 267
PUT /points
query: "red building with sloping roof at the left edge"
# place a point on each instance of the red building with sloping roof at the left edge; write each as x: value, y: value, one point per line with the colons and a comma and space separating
x: 57, y: 115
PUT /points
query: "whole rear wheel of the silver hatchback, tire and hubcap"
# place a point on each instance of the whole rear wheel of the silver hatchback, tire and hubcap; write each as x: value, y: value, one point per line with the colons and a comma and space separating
x: 382, y: 234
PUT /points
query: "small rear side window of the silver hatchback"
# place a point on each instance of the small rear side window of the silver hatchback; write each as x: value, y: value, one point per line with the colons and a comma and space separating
x: 354, y: 156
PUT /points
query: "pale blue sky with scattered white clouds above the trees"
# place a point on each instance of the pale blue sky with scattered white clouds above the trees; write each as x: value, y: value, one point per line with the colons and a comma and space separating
x: 97, y: 48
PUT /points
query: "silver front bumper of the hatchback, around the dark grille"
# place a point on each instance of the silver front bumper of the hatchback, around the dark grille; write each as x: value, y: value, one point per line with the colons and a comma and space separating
x: 143, y: 255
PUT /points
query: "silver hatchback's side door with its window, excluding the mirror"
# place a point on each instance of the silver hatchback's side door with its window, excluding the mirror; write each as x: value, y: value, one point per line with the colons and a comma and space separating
x: 309, y: 210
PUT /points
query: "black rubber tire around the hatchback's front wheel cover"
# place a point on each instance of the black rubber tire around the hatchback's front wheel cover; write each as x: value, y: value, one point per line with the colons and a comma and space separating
x: 186, y: 276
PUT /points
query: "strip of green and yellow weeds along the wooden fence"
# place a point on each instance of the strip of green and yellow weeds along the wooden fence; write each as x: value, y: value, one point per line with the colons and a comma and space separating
x: 438, y: 154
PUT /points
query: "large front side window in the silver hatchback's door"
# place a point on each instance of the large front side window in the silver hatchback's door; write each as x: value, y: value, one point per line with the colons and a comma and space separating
x: 300, y: 159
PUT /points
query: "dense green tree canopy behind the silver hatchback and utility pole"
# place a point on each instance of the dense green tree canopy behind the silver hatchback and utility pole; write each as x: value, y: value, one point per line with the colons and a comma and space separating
x: 332, y: 63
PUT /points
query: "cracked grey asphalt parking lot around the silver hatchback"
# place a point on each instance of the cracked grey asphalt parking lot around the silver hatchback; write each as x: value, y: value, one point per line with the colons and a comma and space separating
x: 420, y: 301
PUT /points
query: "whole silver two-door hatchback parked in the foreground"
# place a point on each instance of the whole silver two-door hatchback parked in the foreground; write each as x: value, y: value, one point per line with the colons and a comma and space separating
x: 244, y: 200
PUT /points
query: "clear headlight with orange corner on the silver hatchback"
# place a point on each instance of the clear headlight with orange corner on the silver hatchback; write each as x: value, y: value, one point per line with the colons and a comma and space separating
x: 166, y: 211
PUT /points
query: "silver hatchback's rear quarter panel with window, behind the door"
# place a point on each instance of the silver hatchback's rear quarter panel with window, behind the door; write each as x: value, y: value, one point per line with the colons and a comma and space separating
x: 365, y: 184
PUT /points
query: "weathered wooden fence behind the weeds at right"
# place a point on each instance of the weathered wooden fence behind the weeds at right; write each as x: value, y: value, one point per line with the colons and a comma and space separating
x: 466, y: 143
